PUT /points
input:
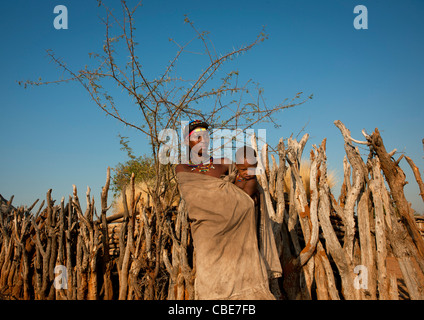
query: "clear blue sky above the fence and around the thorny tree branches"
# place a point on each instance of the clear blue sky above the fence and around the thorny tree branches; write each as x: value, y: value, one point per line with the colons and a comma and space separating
x: 54, y: 136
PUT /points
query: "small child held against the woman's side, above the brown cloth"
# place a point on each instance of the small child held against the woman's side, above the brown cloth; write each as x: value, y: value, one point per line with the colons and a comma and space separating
x: 246, y: 166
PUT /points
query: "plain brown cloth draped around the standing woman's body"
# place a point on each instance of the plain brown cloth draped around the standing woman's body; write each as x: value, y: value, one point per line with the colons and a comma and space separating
x: 229, y: 264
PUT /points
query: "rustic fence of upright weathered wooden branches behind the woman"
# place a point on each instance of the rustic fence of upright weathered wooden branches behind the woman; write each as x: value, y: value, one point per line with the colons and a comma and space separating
x: 367, y: 244
